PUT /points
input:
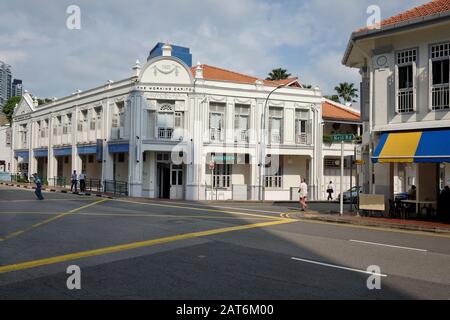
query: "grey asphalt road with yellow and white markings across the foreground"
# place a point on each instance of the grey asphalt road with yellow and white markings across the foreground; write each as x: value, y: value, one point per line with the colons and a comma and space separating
x: 167, y: 250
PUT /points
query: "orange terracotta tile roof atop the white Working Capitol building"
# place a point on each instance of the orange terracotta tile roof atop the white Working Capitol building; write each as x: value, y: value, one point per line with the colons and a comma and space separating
x: 215, y: 73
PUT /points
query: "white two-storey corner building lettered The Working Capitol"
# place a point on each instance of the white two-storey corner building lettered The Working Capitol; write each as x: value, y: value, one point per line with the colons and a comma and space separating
x: 171, y: 131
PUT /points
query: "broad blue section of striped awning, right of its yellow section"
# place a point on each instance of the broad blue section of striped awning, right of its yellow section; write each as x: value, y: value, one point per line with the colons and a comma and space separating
x: 434, y: 146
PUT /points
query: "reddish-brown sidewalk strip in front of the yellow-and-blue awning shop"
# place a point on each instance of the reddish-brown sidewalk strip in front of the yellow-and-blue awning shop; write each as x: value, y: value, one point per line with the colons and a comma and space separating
x: 380, y: 222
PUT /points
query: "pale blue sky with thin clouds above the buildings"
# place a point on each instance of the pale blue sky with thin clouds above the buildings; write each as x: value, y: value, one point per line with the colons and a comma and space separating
x: 250, y: 36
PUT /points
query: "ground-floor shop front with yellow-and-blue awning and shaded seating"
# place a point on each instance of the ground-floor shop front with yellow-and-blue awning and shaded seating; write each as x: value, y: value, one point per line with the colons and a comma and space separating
x: 412, y: 169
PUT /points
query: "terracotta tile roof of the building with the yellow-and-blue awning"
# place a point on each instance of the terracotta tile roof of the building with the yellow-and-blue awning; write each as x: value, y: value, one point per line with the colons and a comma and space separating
x: 427, y: 9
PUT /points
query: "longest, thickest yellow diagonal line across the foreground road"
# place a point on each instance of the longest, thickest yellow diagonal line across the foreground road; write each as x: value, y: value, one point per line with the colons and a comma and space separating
x: 134, y: 245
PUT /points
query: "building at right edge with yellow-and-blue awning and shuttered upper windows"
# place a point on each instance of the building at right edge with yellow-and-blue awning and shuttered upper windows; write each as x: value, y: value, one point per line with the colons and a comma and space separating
x: 404, y: 66
